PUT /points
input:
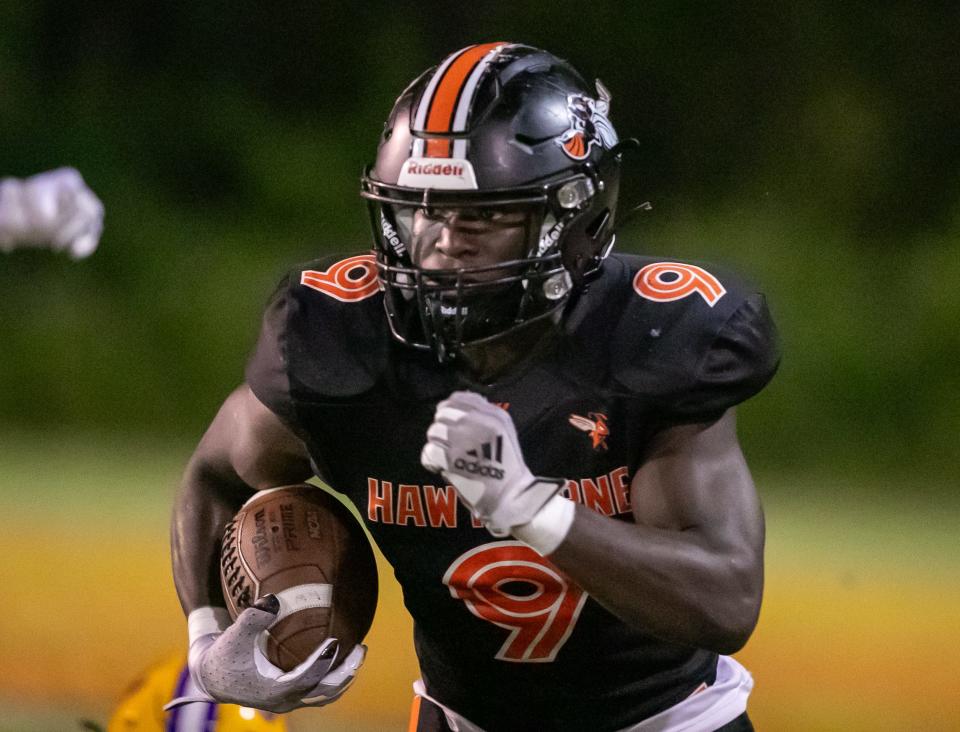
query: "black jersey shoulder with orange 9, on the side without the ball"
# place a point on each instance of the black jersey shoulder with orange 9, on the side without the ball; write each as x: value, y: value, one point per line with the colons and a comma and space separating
x: 693, y: 338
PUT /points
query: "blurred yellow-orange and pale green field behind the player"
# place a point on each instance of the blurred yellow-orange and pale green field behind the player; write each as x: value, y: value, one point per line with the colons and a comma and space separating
x: 860, y: 622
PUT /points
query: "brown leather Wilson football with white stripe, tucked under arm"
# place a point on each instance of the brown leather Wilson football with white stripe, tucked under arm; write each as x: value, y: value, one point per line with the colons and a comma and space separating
x: 301, y: 544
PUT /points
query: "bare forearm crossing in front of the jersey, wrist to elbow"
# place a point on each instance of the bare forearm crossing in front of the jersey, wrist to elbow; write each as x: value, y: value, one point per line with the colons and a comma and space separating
x: 671, y: 583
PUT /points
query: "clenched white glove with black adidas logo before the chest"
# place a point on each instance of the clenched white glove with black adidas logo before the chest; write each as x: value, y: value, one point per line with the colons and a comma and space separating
x: 474, y: 444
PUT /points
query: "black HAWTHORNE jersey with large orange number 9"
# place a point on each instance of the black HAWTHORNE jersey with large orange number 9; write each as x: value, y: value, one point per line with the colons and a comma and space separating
x: 502, y: 636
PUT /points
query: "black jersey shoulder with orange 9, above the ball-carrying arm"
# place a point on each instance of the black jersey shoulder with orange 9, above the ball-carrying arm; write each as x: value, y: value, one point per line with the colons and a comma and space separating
x: 324, y: 334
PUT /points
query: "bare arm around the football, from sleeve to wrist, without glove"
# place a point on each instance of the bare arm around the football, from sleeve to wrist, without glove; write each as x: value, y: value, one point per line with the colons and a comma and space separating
x: 246, y: 448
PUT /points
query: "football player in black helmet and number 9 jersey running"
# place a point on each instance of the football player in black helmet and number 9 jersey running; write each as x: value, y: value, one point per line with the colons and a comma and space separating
x: 539, y: 434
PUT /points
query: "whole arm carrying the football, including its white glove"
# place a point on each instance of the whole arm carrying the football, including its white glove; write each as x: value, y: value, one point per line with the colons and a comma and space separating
x: 246, y: 448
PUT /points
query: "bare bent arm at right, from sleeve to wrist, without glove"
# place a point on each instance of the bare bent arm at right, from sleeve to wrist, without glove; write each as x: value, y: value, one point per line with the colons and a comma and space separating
x: 690, y: 570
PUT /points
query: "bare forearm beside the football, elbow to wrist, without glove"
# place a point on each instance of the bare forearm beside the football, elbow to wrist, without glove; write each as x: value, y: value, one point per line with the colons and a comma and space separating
x: 205, y: 503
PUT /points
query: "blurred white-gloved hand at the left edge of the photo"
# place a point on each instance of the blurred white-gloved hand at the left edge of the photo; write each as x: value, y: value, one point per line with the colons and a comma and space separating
x: 54, y: 210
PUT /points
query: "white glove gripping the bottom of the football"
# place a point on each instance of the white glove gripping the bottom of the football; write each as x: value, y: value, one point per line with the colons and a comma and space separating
x: 230, y: 666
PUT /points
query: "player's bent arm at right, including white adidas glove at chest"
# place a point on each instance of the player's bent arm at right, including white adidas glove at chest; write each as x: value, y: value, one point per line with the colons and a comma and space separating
x: 690, y: 570
